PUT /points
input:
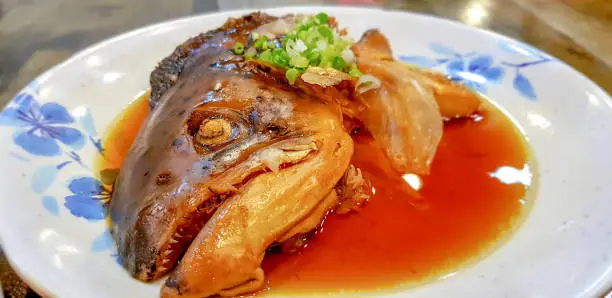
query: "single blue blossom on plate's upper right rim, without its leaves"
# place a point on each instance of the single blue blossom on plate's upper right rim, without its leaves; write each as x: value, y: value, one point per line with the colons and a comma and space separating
x: 475, y: 72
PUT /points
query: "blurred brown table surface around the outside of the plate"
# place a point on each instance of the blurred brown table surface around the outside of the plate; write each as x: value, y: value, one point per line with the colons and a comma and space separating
x: 37, y: 34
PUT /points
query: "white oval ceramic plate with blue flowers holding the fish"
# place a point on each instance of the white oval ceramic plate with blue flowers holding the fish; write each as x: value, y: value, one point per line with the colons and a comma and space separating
x: 52, y: 228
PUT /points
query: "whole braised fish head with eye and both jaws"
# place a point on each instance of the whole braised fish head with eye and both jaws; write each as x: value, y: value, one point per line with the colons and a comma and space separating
x: 225, y: 149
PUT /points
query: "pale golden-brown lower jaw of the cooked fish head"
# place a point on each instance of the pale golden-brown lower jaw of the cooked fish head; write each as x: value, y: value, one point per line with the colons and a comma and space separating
x: 225, y: 257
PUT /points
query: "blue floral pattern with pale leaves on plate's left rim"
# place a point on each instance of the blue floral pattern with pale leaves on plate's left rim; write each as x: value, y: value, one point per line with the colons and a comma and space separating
x: 49, y: 131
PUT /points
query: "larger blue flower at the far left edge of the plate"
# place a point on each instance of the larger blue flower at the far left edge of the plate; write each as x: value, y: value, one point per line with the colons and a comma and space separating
x: 40, y: 128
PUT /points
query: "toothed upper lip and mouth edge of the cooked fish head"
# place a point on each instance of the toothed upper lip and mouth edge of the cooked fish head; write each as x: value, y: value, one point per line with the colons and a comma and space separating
x: 148, y: 258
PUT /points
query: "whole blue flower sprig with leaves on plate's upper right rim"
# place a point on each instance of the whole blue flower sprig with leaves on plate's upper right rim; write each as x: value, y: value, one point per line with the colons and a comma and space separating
x: 479, y: 70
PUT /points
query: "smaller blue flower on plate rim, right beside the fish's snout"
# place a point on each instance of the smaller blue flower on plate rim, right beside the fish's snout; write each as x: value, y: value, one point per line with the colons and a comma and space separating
x: 89, y: 198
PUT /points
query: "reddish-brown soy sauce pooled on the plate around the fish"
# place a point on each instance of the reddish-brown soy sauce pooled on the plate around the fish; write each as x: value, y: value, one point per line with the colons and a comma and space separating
x: 477, y: 193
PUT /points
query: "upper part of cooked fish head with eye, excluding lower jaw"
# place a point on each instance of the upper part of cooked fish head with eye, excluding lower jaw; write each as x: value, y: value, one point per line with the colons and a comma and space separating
x: 210, y: 134
